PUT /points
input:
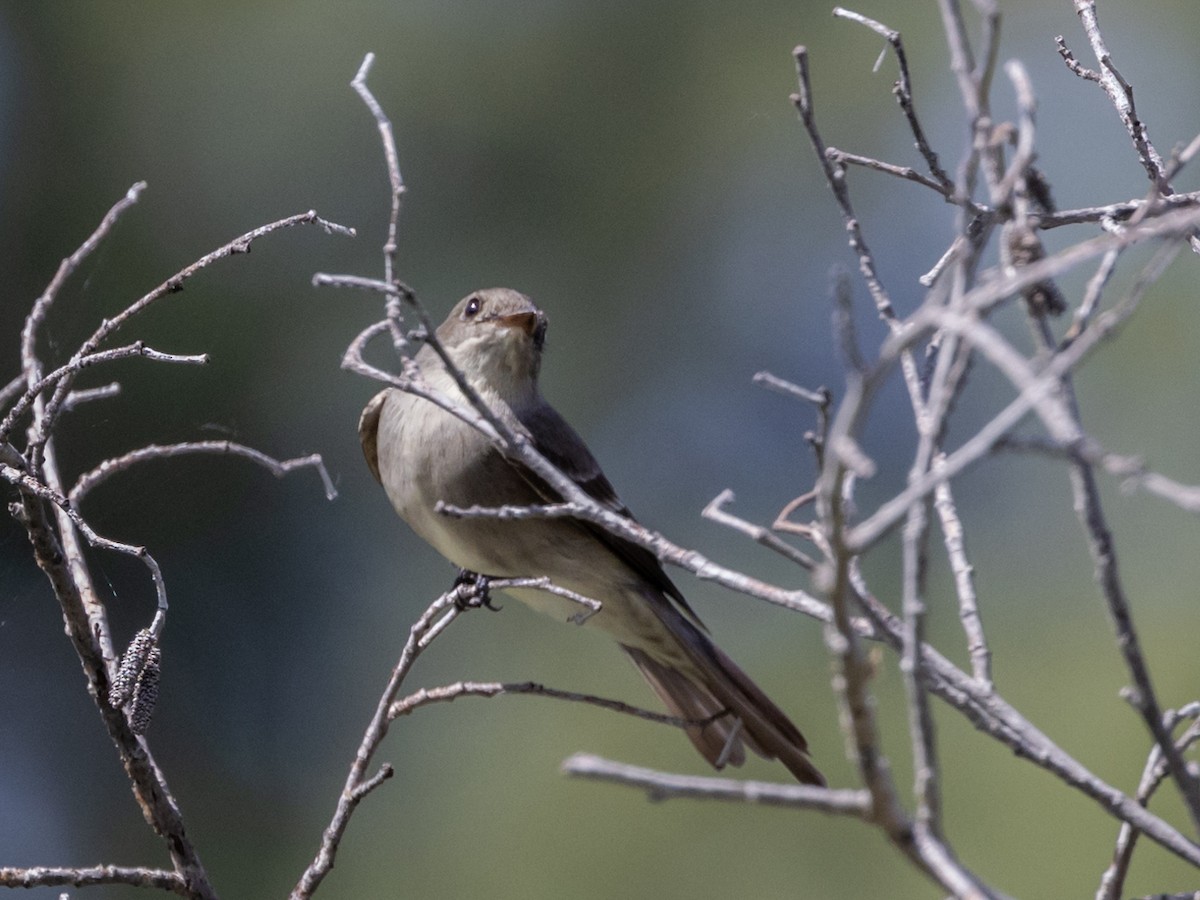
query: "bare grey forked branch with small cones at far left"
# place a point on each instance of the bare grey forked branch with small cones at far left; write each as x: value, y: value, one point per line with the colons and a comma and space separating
x: 55, y: 527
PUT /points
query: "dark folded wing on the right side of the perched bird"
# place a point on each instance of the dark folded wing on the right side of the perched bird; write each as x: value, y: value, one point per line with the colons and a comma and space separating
x: 559, y: 442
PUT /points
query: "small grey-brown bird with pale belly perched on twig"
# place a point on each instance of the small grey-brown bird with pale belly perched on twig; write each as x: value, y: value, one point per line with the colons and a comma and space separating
x: 427, y: 459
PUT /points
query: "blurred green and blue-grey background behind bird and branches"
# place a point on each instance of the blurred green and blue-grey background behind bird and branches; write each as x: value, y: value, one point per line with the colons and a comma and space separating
x: 638, y: 170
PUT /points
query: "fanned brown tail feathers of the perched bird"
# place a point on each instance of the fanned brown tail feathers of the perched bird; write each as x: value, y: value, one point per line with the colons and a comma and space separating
x: 736, y: 711
